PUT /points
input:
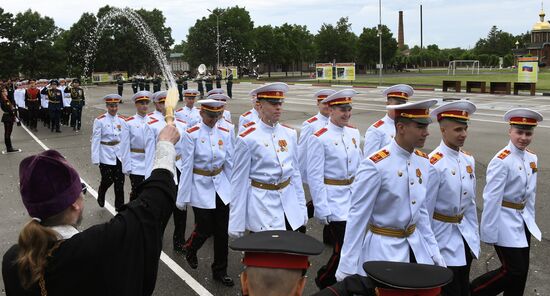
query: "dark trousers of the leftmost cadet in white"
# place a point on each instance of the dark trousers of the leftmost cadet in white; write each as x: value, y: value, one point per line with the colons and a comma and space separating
x: 112, y: 174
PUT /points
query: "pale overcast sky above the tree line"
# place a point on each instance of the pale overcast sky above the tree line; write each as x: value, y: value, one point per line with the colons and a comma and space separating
x: 448, y: 23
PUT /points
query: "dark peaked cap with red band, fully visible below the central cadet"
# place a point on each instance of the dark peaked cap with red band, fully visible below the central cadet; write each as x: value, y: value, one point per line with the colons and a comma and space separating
x: 277, y: 249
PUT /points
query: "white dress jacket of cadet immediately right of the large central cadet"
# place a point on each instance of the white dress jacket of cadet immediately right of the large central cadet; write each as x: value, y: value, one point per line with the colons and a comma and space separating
x: 333, y: 154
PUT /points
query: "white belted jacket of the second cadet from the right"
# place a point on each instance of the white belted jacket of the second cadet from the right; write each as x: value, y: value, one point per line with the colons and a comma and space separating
x: 454, y: 195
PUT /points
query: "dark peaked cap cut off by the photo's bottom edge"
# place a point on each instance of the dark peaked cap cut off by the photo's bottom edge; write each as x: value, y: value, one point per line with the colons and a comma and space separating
x: 407, y: 279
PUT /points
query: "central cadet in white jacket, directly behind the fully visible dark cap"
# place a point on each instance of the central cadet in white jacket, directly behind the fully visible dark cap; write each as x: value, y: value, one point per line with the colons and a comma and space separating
x: 267, y: 192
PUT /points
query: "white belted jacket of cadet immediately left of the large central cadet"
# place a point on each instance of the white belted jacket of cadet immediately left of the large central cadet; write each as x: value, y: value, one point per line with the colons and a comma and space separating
x: 207, y: 149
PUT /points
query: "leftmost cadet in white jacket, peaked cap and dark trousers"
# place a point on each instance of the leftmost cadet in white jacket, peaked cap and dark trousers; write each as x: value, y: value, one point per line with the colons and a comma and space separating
x: 106, y: 151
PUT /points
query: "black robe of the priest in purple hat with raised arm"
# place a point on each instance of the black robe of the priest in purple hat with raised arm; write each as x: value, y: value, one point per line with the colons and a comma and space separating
x: 119, y: 257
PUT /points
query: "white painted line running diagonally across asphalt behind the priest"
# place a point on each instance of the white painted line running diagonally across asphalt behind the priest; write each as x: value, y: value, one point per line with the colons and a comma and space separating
x: 178, y: 270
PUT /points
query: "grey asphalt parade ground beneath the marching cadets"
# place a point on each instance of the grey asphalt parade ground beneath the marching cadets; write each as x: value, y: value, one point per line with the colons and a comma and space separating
x: 487, y: 135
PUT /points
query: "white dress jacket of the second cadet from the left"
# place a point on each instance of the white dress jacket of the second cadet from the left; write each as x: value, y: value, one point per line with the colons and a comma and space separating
x: 132, y: 145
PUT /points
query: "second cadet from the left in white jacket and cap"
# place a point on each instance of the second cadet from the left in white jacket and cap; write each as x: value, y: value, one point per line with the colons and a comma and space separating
x: 132, y: 144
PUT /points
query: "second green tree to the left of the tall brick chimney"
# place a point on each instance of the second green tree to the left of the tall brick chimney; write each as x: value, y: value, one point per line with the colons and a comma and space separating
x: 336, y: 42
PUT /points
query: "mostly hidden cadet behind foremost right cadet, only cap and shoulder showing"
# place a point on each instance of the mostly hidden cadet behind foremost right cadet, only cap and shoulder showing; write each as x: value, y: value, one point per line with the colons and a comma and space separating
x: 380, y: 133
